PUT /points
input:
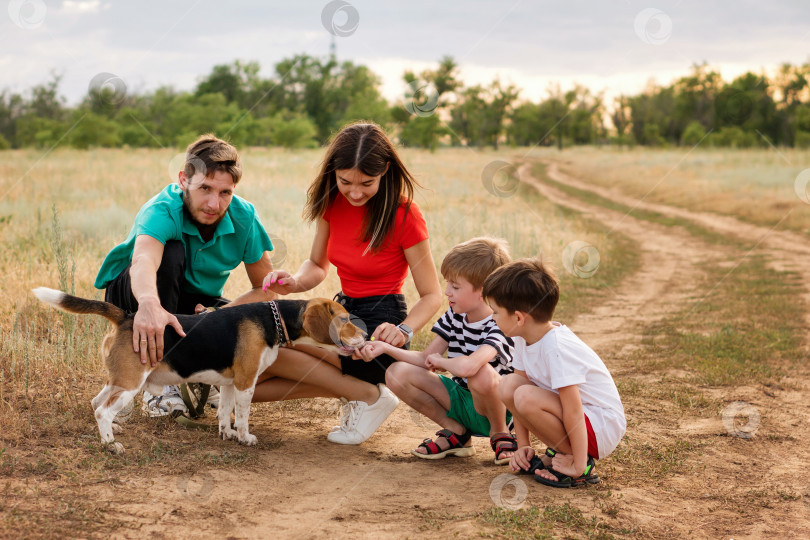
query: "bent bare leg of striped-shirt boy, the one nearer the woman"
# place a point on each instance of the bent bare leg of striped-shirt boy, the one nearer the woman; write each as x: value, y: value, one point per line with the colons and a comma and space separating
x: 425, y: 392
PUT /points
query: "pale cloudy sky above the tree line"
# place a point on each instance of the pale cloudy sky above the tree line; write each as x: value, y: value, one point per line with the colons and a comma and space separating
x: 615, y: 47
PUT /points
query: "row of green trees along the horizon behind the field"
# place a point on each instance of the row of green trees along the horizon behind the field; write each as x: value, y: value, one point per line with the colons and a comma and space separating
x: 307, y: 99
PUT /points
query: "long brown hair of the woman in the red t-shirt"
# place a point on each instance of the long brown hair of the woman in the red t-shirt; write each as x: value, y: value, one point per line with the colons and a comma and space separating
x: 366, y: 147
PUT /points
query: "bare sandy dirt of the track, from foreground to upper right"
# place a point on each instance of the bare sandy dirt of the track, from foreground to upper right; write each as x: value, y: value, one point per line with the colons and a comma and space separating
x: 309, y: 488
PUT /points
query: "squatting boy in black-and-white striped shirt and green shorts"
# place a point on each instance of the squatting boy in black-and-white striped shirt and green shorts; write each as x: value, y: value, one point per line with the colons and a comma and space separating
x: 478, y: 355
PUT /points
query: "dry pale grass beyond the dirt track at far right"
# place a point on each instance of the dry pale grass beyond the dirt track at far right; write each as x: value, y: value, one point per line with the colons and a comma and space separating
x: 757, y: 185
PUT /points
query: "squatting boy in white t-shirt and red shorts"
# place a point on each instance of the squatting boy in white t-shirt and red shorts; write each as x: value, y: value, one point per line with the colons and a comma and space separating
x: 561, y: 390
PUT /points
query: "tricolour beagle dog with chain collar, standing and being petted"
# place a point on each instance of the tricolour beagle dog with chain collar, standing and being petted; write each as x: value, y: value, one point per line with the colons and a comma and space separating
x: 226, y: 347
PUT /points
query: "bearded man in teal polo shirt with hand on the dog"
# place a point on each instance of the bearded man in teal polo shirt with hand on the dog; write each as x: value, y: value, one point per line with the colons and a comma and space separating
x: 183, y: 246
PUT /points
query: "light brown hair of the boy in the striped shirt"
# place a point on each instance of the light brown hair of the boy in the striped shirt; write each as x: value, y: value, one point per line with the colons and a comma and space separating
x: 475, y: 259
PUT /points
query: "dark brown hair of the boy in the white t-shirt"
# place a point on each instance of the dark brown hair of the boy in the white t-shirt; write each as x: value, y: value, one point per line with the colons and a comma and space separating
x: 525, y: 285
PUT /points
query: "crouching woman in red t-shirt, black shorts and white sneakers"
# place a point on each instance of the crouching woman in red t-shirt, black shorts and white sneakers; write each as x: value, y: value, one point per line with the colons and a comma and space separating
x: 370, y: 228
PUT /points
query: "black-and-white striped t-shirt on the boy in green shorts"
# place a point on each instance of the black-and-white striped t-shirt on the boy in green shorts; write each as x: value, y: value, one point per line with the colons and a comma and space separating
x: 464, y: 338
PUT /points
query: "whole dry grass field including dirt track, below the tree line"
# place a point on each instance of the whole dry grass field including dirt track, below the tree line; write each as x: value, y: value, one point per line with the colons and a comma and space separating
x: 692, y: 314
